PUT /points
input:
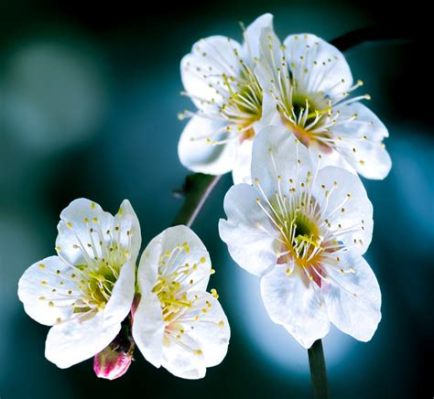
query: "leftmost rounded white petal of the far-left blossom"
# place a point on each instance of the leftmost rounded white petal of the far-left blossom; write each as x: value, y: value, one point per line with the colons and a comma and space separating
x: 48, y: 291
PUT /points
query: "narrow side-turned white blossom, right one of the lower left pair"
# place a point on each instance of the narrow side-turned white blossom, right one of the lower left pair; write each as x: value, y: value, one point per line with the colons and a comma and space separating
x: 178, y: 325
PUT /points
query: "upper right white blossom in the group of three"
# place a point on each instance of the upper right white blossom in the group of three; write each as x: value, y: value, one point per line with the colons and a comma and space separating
x: 308, y: 82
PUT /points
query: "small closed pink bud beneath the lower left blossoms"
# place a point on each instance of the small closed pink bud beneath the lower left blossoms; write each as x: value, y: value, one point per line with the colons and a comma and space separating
x: 113, y: 362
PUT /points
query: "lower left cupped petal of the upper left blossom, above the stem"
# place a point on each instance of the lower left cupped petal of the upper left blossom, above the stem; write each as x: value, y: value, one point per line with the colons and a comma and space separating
x: 199, y: 155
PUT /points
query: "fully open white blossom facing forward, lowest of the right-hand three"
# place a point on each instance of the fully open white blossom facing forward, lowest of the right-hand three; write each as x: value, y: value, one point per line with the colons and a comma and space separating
x: 304, y: 231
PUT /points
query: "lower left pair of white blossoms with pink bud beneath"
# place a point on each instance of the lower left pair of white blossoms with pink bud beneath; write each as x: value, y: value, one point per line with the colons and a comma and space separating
x: 92, y: 291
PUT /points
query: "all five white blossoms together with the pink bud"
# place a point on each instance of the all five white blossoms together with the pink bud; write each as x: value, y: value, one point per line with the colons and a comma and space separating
x: 281, y: 118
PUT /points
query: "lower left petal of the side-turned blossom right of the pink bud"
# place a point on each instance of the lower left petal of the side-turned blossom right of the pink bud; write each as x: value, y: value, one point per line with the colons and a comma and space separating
x: 148, y: 329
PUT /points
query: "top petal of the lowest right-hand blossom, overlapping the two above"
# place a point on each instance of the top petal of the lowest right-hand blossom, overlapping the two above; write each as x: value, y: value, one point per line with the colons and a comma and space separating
x: 276, y: 152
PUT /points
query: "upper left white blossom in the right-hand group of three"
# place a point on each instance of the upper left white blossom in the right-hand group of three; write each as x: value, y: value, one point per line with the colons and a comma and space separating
x: 218, y: 75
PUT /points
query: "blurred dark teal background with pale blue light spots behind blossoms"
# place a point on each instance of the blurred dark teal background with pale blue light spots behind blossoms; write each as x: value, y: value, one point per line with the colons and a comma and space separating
x: 88, y: 101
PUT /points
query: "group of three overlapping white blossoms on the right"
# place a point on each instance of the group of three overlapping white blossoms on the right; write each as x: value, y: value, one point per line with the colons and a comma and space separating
x: 282, y: 118
